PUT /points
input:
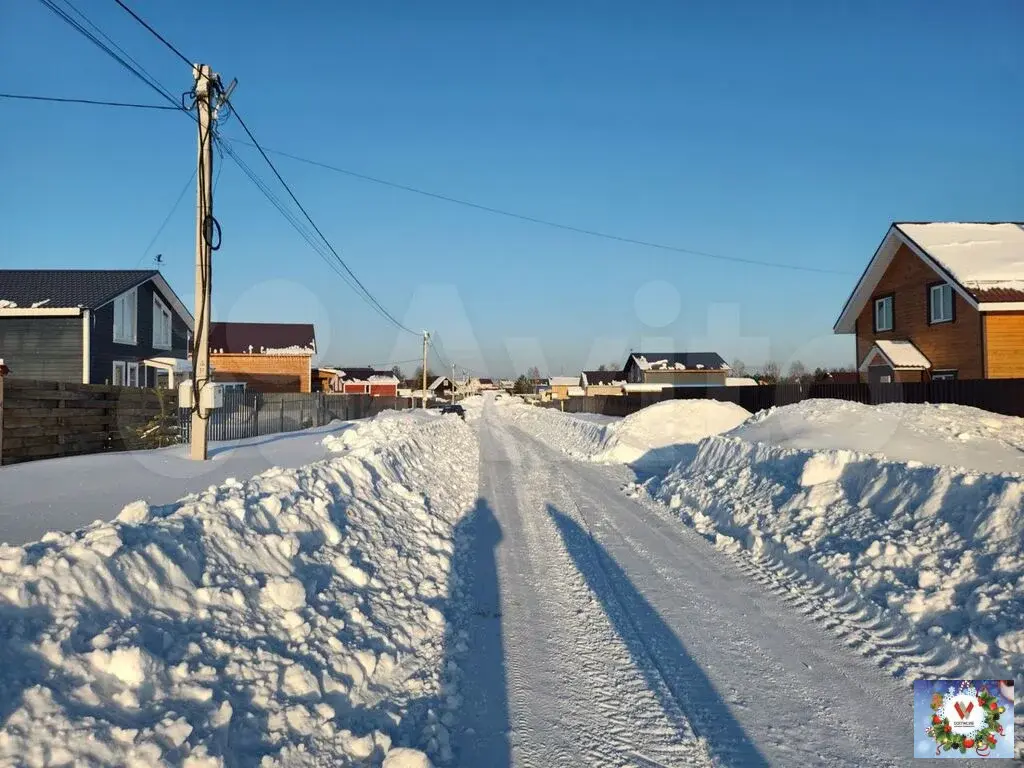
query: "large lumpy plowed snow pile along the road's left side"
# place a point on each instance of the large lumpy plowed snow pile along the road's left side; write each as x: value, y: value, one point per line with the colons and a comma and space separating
x: 294, y: 619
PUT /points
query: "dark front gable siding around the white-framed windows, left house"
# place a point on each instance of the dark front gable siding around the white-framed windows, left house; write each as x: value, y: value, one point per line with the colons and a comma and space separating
x: 105, y: 352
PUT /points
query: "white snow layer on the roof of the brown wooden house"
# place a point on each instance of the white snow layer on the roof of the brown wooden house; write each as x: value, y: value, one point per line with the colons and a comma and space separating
x: 978, y: 255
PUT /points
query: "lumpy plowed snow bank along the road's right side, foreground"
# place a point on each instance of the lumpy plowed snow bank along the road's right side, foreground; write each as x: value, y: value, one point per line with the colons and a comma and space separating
x: 941, y: 548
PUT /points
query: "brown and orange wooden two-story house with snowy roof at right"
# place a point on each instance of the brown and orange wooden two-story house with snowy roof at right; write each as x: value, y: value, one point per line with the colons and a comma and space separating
x: 941, y: 301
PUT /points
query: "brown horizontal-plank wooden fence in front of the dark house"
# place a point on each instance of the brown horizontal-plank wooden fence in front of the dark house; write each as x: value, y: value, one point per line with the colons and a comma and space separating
x: 49, y: 419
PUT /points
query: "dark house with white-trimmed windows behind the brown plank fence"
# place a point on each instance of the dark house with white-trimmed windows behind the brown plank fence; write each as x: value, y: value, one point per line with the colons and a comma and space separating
x: 121, y: 327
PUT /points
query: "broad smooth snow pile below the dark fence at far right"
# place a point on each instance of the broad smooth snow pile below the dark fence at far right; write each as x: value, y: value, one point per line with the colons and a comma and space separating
x: 943, y: 435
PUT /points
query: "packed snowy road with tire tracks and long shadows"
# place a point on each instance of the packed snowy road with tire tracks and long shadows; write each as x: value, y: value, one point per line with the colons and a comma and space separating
x: 626, y: 639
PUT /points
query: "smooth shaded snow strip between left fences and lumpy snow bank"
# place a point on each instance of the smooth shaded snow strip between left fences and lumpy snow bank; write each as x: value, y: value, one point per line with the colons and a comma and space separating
x: 67, y: 494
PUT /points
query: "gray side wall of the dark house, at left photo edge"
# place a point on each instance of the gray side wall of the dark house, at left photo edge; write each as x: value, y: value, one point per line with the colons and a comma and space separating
x: 42, y: 348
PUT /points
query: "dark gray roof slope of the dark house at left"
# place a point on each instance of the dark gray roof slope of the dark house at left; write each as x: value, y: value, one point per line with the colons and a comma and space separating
x: 69, y: 288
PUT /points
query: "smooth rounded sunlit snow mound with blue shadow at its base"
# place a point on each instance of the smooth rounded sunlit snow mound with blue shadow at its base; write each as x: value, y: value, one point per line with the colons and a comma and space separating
x: 656, y: 434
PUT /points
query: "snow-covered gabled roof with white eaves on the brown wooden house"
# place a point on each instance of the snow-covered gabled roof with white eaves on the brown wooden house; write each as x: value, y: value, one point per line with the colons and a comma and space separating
x: 984, y: 263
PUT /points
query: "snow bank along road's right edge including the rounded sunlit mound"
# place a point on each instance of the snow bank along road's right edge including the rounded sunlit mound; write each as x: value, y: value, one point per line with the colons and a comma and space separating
x: 652, y: 436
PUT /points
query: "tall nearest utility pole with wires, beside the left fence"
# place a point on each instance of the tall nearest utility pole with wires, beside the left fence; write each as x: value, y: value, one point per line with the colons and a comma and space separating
x: 204, y: 261
